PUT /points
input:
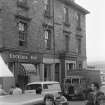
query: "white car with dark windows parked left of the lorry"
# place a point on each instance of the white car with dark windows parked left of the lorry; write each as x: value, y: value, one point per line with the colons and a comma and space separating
x: 43, y: 87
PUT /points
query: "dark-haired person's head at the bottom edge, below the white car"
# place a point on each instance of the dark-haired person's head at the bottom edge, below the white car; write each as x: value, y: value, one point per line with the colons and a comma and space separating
x: 49, y: 99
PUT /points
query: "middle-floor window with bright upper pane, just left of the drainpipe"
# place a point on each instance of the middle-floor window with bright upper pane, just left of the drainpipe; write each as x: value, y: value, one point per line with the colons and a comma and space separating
x: 47, y: 35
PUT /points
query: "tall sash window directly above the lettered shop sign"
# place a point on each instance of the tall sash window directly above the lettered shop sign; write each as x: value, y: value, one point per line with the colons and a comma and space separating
x: 22, y: 28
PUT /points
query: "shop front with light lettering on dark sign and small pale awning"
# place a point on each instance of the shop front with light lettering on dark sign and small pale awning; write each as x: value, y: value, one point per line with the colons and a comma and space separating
x: 25, y: 67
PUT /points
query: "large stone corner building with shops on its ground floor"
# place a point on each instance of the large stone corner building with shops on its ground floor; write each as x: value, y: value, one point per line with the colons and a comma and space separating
x: 42, y: 39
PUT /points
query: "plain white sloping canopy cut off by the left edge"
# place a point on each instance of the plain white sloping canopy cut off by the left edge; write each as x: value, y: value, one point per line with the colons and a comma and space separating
x: 4, y: 70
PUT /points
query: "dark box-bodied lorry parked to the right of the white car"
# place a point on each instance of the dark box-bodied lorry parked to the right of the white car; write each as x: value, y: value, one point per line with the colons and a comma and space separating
x: 76, y: 83
